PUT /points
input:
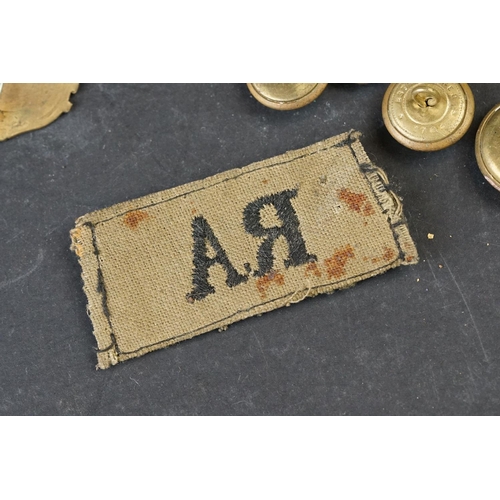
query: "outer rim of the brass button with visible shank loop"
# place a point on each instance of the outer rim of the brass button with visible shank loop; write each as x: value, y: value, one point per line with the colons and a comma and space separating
x: 445, y: 142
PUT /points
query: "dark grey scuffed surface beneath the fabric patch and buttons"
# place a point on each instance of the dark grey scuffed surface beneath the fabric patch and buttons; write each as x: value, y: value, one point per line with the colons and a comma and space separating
x: 421, y: 339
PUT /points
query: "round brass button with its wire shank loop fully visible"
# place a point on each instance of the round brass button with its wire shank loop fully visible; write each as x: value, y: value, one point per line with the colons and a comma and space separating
x: 428, y: 116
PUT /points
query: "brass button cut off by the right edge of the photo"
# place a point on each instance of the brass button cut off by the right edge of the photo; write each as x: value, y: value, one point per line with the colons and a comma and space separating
x: 488, y: 147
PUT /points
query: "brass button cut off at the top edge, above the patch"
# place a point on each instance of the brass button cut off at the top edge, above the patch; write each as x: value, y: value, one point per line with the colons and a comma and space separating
x: 285, y: 96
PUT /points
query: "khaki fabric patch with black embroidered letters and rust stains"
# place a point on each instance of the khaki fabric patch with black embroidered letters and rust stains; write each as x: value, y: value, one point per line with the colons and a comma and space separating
x: 198, y: 257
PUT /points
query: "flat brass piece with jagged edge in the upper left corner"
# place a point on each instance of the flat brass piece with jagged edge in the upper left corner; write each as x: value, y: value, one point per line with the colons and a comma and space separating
x: 30, y: 106
